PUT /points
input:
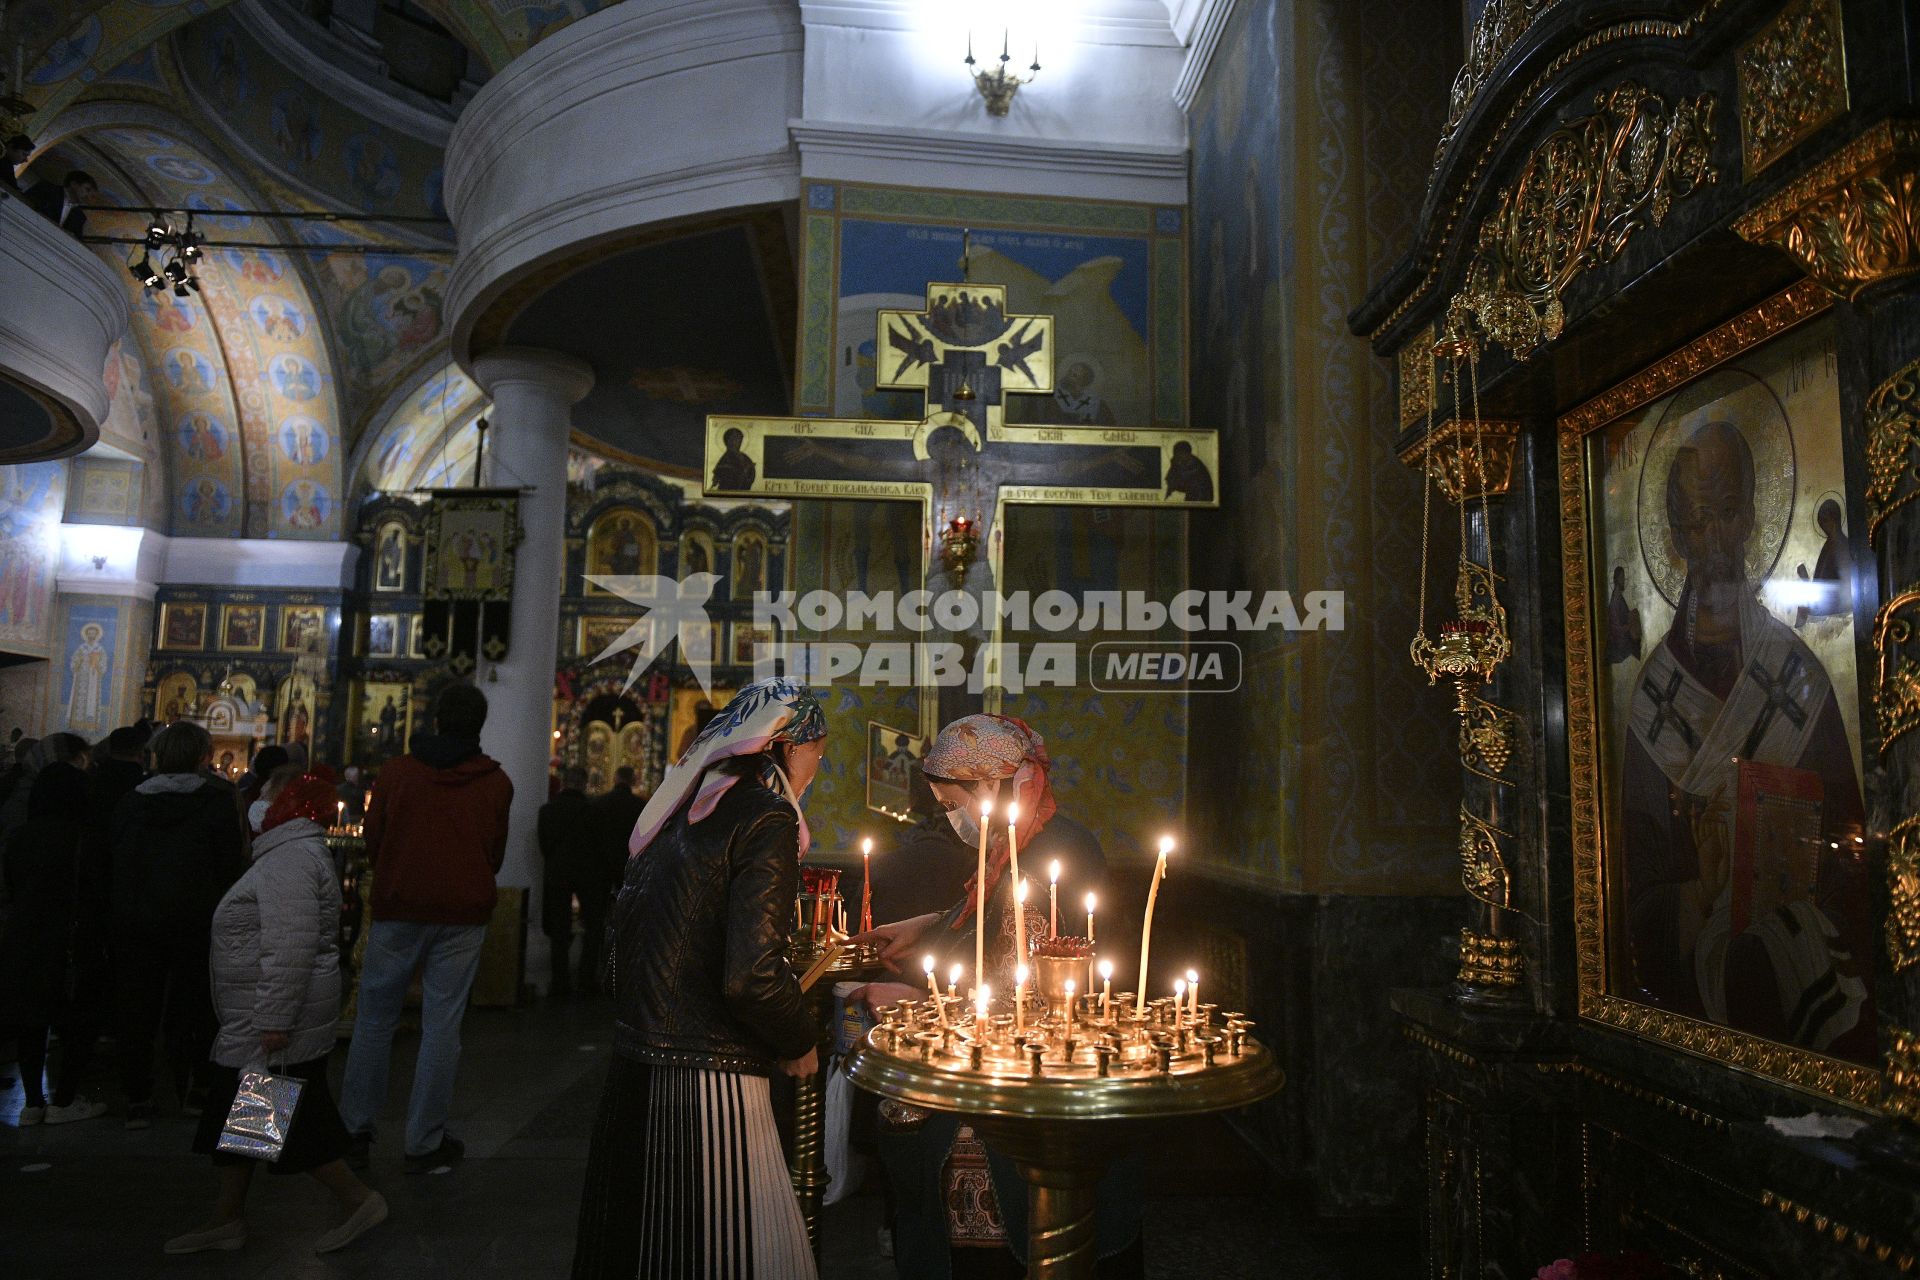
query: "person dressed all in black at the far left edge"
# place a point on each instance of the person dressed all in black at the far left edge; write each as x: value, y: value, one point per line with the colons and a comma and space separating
x: 55, y: 943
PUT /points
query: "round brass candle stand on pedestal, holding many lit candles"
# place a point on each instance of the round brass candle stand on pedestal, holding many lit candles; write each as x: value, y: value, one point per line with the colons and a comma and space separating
x: 1061, y: 1087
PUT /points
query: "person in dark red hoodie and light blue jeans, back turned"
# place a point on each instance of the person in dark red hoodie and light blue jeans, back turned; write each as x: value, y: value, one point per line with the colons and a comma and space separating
x: 437, y: 836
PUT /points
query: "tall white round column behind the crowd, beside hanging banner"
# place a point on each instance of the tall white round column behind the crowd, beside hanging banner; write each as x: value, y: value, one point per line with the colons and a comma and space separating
x: 527, y: 450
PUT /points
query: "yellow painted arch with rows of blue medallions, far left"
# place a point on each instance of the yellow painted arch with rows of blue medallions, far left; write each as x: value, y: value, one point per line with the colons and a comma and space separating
x: 252, y: 335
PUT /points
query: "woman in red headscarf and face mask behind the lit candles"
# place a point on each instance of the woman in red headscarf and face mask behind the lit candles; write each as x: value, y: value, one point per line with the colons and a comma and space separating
x: 982, y: 759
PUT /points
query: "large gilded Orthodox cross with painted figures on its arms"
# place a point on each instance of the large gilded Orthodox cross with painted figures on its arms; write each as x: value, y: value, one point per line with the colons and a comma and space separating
x: 963, y: 462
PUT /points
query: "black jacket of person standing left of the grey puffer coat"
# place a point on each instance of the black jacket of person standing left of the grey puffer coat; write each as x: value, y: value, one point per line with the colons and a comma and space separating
x: 178, y: 849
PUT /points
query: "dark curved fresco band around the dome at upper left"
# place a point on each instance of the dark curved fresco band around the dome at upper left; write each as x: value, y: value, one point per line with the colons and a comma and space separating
x: 310, y: 137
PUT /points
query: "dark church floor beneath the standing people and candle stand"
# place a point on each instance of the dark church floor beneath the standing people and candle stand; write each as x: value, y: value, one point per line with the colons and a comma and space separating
x: 95, y: 1200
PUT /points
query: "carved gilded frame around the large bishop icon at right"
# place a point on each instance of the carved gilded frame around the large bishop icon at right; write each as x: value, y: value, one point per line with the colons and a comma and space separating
x: 1844, y: 1081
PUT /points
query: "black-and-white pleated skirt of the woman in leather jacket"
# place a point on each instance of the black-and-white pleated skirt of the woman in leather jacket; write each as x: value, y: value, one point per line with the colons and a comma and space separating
x: 686, y: 1181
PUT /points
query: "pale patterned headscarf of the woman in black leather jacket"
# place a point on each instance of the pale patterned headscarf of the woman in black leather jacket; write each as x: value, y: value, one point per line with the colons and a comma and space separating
x: 761, y: 715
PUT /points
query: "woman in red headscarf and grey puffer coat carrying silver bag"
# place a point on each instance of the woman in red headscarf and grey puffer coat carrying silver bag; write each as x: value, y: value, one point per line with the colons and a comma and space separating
x: 276, y: 968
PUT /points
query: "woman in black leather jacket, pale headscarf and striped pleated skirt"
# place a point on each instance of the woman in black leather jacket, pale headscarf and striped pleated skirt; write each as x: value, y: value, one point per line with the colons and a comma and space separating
x: 686, y: 1179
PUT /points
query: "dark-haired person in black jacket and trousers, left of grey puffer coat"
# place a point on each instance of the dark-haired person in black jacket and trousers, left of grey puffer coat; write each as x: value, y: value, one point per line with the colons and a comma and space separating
x: 178, y: 847
